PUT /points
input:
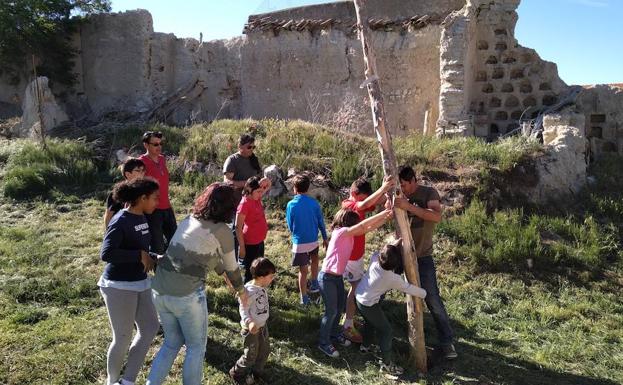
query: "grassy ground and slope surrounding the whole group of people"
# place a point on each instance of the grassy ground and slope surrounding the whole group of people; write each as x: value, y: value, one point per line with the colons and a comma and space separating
x: 559, y: 322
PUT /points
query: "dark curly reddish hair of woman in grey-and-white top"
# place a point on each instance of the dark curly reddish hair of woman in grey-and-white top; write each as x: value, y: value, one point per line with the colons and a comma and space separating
x: 216, y: 203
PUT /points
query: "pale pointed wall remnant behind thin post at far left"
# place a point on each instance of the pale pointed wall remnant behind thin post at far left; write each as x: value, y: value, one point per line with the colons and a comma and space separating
x: 52, y: 114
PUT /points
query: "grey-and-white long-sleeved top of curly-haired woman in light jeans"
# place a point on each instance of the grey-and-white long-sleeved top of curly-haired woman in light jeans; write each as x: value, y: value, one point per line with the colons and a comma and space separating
x: 197, y: 247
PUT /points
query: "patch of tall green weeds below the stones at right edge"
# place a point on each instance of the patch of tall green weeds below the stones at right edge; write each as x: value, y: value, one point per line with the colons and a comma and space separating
x: 505, y: 239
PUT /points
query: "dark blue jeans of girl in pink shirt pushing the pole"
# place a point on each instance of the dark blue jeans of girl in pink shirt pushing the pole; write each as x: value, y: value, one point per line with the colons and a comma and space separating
x: 334, y: 298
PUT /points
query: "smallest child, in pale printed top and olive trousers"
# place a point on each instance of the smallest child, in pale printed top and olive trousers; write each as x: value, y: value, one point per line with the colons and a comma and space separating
x: 253, y: 321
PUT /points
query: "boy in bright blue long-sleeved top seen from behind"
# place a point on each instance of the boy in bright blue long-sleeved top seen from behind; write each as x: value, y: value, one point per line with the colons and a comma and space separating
x: 305, y: 219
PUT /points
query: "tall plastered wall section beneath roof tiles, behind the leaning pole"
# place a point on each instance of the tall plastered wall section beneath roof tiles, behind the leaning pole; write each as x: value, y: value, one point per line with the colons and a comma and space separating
x: 314, y: 75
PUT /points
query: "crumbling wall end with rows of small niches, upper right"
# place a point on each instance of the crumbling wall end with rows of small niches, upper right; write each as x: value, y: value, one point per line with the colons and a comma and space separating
x: 503, y: 82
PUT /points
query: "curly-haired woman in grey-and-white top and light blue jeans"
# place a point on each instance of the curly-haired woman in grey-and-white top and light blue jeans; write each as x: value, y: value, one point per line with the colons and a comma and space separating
x: 202, y: 242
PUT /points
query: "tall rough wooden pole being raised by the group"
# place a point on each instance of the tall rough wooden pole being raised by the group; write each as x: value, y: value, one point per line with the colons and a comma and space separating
x: 414, y: 304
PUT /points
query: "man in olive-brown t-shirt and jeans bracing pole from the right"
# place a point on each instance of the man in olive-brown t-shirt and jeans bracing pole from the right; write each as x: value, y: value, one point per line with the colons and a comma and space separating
x: 422, y: 203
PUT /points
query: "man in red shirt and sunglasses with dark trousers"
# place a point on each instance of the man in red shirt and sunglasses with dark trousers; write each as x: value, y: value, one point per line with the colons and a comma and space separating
x: 162, y: 224
